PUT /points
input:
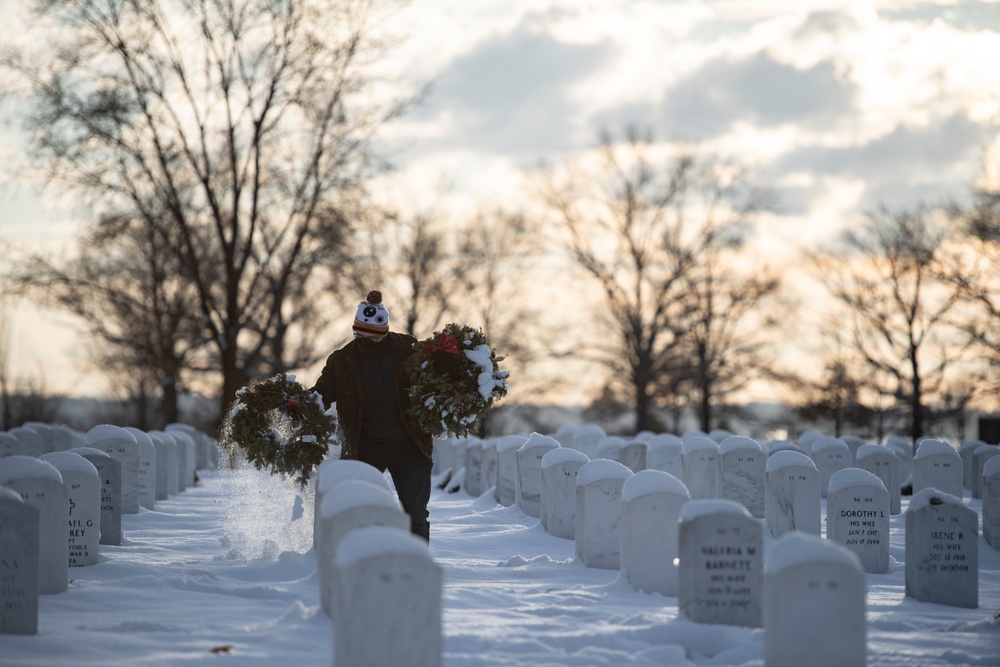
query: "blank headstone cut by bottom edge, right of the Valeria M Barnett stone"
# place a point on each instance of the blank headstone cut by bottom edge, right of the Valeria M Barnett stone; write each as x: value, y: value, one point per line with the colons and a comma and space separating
x: 814, y: 604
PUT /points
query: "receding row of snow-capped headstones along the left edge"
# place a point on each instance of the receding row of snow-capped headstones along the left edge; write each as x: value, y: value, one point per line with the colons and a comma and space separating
x: 69, y: 500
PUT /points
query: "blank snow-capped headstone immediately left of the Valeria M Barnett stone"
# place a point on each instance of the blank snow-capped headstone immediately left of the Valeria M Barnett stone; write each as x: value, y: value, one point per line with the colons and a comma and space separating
x: 650, y: 511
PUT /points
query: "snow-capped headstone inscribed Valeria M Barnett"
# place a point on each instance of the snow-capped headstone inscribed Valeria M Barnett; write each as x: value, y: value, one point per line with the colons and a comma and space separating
x: 721, y: 563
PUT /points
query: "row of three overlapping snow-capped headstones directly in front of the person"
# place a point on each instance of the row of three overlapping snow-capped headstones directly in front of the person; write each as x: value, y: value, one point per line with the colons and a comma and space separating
x: 378, y: 582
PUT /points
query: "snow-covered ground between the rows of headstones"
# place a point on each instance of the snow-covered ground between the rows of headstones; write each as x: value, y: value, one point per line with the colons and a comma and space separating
x: 224, y: 573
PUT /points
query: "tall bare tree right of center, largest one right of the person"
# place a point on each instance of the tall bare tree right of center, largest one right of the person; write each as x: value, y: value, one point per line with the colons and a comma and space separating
x: 640, y: 225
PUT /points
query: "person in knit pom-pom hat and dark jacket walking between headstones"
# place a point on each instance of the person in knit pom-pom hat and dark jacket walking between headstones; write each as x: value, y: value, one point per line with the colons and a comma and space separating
x: 367, y: 381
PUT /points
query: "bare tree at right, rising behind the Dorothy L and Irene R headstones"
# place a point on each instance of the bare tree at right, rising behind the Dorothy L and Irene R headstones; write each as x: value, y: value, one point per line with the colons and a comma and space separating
x: 890, y: 278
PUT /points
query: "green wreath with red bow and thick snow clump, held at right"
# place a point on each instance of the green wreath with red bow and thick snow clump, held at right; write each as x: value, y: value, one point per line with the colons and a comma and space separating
x: 454, y: 379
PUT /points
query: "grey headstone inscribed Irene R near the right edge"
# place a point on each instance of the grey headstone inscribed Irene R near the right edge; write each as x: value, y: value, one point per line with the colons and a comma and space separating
x: 942, y: 550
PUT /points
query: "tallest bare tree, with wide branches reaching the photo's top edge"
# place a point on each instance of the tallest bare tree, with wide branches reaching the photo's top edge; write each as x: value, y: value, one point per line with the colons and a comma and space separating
x: 232, y: 131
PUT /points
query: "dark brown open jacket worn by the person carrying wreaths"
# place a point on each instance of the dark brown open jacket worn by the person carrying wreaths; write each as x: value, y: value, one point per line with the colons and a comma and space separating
x: 340, y: 383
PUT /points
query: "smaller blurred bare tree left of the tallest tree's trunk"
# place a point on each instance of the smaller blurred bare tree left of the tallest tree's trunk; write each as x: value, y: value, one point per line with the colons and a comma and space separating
x: 136, y: 303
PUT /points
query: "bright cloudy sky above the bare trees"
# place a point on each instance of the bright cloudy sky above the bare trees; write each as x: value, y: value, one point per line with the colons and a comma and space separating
x: 841, y: 106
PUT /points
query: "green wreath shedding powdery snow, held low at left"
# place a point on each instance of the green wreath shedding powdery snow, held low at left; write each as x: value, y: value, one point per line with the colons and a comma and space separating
x: 281, y: 425
